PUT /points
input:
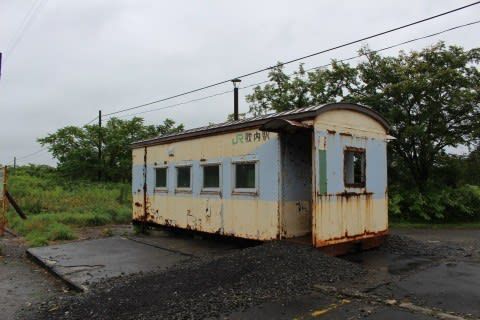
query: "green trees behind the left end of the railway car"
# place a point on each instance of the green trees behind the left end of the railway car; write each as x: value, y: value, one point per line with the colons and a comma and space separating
x: 76, y: 148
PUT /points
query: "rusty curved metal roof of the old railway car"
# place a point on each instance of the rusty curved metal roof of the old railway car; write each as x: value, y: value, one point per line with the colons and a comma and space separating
x: 301, y: 113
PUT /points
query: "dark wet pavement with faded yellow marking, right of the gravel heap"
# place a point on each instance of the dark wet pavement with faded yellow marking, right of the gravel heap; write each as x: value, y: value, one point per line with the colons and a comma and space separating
x: 437, y: 282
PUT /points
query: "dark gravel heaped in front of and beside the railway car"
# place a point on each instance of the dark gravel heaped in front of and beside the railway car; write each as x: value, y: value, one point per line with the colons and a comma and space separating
x: 208, y: 288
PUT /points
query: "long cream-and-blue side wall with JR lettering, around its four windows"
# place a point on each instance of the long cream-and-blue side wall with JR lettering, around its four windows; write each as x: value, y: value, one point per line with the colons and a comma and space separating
x: 253, y: 217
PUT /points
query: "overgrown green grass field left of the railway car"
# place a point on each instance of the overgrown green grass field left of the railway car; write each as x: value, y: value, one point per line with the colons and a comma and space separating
x: 57, y: 207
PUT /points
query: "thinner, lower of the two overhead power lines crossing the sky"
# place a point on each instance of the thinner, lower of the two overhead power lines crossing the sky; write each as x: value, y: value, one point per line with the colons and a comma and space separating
x: 308, y: 69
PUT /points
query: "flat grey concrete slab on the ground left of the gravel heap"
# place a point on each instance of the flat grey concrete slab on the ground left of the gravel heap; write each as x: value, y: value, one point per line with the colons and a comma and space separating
x: 83, y: 263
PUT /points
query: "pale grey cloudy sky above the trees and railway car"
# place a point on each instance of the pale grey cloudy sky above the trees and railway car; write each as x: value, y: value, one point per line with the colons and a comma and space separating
x: 76, y: 57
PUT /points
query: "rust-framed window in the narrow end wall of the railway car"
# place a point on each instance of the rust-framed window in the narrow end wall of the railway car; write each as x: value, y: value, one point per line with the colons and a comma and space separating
x: 354, y: 167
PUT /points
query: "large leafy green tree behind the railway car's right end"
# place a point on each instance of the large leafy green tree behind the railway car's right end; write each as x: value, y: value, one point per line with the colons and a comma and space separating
x: 430, y: 97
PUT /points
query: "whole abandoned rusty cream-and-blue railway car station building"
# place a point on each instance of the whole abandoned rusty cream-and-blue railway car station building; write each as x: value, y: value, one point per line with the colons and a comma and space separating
x: 317, y: 173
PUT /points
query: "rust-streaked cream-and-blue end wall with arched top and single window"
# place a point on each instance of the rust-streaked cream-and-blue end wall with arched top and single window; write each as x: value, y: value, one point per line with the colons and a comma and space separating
x: 350, y: 214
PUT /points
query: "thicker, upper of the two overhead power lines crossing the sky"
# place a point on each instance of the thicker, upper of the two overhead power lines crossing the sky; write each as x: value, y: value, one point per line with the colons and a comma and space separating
x: 298, y: 59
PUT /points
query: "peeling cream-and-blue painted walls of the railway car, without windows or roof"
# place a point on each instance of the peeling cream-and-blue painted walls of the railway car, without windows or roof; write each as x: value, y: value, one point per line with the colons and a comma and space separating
x: 280, y: 206
